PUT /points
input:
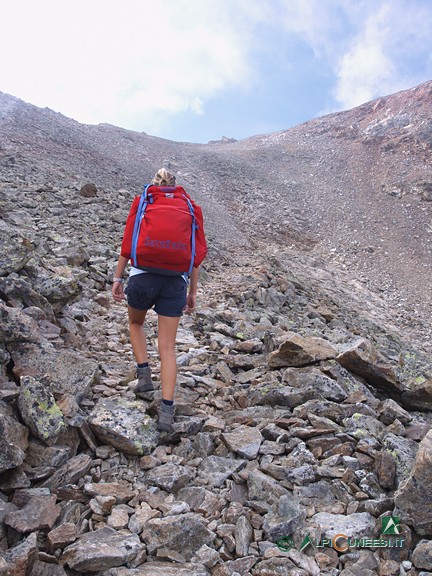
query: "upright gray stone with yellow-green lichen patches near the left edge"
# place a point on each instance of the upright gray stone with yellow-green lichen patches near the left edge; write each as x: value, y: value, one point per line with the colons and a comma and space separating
x: 39, y: 410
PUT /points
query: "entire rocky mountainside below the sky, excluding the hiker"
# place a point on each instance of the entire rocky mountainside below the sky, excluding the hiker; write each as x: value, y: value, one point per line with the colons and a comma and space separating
x: 305, y: 391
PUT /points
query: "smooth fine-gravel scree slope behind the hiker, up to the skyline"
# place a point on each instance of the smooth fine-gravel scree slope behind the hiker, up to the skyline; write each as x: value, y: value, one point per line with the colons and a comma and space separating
x: 353, y: 188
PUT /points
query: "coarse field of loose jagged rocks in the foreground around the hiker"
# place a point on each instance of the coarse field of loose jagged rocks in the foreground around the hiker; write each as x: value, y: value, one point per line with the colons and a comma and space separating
x: 300, y: 410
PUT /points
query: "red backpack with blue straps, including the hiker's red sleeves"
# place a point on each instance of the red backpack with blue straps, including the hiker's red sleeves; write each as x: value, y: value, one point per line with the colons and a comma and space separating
x: 164, y: 232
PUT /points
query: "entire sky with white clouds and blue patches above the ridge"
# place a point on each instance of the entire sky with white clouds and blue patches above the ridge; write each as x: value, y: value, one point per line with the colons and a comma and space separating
x: 198, y: 70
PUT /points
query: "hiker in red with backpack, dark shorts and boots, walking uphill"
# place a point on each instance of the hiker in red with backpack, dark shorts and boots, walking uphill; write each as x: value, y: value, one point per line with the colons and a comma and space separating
x: 161, y: 269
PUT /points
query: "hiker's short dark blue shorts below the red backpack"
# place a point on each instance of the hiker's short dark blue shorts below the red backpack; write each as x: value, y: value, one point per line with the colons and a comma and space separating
x: 166, y: 293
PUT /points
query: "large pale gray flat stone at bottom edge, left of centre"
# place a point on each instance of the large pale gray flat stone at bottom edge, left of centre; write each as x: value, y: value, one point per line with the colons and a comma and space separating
x: 100, y: 550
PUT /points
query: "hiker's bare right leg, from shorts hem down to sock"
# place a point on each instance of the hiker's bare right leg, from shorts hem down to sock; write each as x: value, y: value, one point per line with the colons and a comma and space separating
x: 167, y: 332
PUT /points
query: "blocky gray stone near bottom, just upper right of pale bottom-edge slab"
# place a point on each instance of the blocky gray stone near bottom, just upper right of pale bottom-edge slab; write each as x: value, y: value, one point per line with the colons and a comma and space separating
x: 184, y: 533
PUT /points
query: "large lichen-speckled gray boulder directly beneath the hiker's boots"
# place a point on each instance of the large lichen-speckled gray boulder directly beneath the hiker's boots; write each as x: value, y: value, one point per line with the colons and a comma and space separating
x: 125, y: 425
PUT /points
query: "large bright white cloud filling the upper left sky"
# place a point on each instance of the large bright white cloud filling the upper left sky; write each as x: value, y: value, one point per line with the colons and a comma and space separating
x: 137, y: 62
